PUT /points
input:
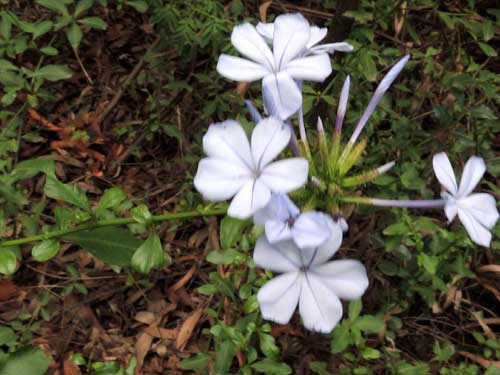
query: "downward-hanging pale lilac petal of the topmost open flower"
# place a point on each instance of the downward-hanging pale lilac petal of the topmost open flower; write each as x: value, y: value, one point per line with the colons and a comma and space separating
x: 282, y: 91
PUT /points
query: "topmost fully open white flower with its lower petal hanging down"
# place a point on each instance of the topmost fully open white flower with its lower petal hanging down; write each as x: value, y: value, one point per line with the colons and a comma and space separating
x: 280, y: 68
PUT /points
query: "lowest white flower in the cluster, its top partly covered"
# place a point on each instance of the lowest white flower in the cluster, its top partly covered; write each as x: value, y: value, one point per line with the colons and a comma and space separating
x: 309, y: 280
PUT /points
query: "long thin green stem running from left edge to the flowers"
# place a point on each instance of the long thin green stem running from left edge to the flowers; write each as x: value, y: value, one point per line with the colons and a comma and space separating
x: 111, y: 222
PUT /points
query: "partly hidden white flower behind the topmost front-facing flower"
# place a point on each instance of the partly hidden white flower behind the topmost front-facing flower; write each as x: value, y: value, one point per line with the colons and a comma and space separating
x: 316, y: 35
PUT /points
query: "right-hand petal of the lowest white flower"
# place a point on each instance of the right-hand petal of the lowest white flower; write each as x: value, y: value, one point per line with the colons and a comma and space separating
x: 346, y: 278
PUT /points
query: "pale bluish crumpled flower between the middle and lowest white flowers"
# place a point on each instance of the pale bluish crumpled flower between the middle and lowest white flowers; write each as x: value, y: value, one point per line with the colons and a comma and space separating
x: 283, y: 221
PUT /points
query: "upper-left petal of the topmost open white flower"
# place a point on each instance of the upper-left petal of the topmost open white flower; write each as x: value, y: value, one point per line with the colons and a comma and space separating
x: 251, y: 45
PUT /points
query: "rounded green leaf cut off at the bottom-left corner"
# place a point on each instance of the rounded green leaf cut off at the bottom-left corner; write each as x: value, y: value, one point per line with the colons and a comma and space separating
x: 27, y: 360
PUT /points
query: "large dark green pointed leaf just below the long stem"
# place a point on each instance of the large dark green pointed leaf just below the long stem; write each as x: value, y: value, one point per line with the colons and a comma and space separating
x: 113, y: 245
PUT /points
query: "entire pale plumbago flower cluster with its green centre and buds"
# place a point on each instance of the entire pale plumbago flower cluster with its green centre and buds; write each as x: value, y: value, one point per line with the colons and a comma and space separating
x: 257, y: 176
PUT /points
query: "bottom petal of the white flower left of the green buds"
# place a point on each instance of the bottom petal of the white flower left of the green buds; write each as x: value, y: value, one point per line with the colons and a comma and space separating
x: 253, y: 196
